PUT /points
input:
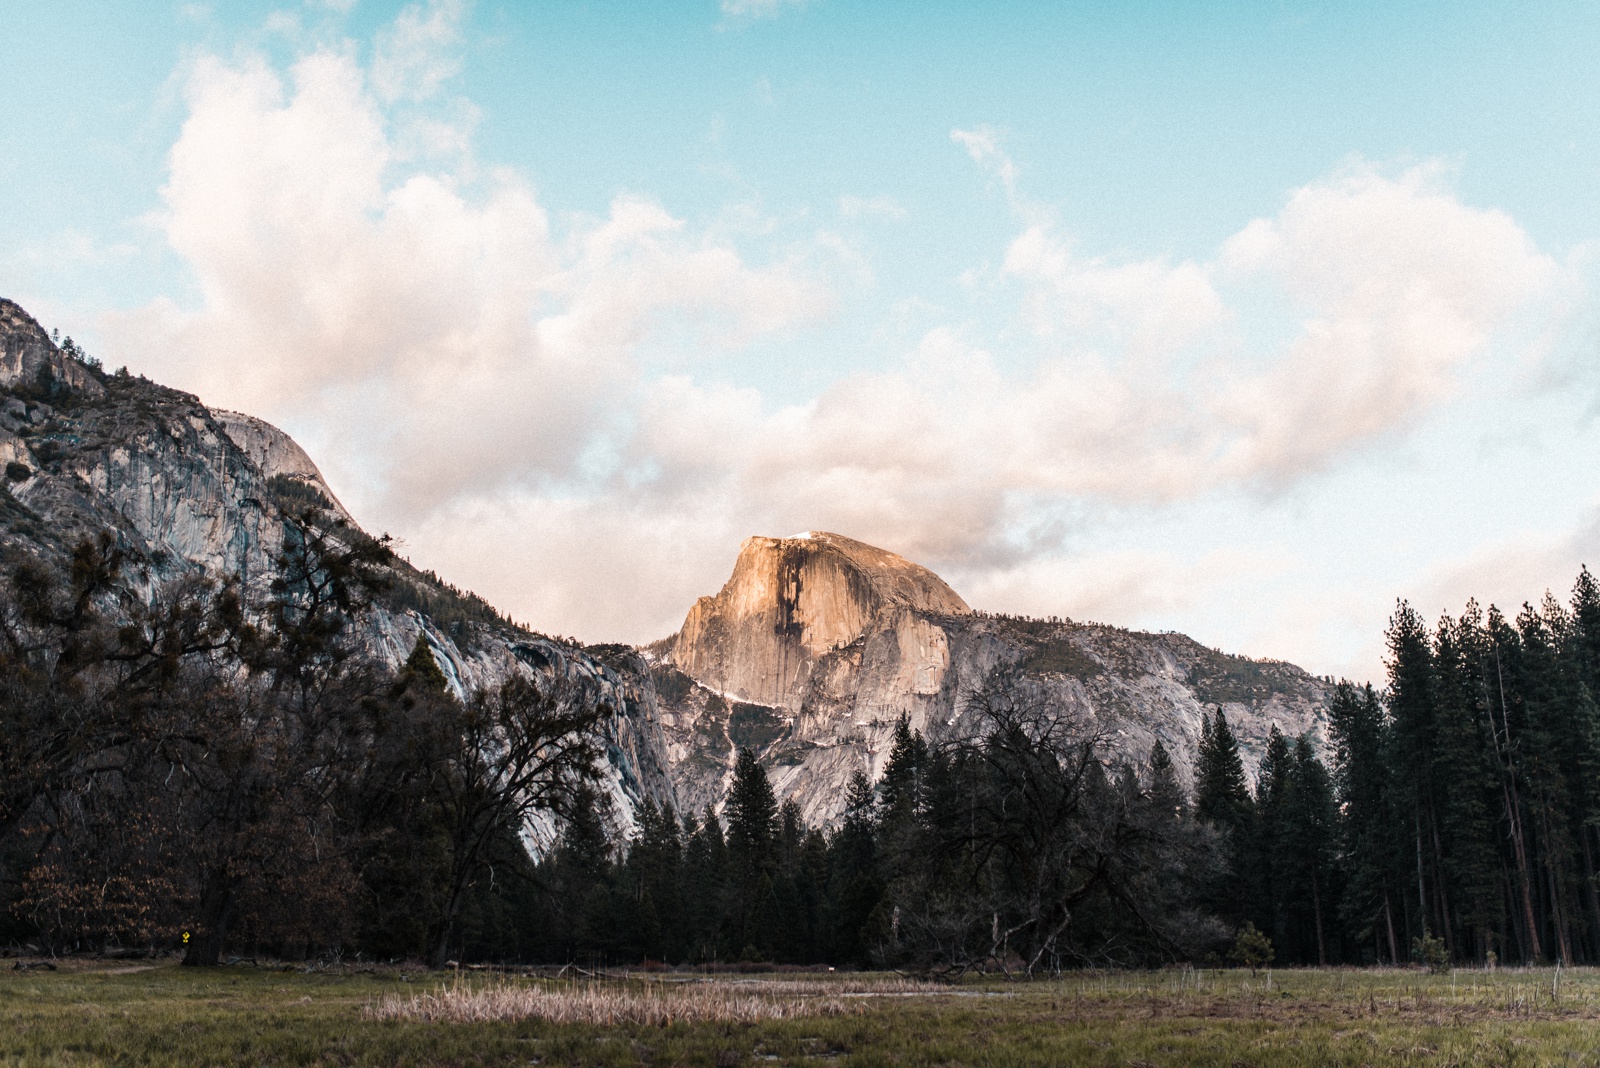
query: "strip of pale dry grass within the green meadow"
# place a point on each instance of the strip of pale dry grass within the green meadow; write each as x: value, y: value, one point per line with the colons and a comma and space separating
x: 649, y: 1005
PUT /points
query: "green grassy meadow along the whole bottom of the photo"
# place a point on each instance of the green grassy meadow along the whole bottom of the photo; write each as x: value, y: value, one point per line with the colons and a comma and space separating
x: 167, y: 1016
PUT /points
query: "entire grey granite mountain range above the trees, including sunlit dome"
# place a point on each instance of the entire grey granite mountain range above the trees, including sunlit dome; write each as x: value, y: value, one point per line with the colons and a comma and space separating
x: 809, y: 655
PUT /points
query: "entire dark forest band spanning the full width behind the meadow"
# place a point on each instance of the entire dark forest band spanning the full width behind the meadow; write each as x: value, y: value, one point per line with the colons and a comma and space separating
x: 220, y: 775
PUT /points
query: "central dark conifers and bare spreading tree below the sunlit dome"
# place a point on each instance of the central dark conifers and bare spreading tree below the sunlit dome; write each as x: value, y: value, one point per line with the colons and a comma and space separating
x: 1014, y: 847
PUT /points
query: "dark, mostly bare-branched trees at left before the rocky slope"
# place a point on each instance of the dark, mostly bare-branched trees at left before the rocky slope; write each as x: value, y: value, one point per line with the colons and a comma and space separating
x: 215, y: 773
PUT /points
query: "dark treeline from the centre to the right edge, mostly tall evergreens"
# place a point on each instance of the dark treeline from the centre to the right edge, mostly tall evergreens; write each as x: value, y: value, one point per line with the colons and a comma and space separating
x: 1454, y: 816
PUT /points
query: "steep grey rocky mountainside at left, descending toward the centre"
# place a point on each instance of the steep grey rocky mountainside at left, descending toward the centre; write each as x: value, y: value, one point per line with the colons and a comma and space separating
x: 190, y: 490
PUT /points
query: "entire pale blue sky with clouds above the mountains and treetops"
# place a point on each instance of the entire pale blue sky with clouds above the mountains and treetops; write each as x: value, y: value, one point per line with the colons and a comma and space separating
x: 1234, y: 319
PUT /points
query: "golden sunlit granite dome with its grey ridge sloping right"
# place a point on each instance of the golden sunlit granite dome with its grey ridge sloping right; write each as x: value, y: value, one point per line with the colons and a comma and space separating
x: 818, y: 645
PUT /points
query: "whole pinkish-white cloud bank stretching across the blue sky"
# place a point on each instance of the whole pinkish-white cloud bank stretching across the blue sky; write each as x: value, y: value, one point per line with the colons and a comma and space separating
x: 486, y: 381
